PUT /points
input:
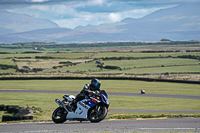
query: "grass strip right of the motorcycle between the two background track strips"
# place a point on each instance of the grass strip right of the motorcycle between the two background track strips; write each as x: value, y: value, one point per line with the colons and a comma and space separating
x: 152, y: 103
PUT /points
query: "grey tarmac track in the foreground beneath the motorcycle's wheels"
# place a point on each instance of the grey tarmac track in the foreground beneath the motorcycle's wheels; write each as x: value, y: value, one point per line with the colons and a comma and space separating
x: 134, y: 125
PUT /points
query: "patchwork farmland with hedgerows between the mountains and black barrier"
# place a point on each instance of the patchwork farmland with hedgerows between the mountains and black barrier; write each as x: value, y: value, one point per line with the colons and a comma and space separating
x: 46, y: 60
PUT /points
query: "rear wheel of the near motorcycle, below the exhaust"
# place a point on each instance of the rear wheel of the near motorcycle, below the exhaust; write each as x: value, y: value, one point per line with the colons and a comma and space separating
x: 59, y: 115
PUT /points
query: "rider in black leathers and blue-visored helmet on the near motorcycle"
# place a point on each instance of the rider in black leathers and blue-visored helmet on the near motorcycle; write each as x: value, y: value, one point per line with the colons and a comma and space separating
x: 89, y: 89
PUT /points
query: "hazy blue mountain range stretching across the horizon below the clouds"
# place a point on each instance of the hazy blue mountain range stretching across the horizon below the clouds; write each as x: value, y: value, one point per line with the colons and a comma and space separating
x: 178, y: 23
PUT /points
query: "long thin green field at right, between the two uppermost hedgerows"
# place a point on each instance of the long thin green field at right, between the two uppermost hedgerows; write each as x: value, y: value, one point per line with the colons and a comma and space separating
x: 136, y: 55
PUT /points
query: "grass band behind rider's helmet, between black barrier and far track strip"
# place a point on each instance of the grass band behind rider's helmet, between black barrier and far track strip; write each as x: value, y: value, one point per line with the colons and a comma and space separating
x: 131, y: 86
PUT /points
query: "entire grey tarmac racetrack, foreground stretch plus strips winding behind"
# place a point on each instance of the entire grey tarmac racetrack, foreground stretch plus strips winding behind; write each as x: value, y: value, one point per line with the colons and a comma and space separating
x: 188, y: 124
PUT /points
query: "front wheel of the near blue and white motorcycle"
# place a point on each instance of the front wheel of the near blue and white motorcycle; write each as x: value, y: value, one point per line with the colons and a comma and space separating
x: 97, y: 114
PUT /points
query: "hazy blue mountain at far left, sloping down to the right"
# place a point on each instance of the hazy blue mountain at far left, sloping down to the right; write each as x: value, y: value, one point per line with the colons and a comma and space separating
x: 14, y: 23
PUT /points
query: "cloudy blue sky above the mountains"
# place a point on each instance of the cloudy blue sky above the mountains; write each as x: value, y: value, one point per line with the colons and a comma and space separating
x: 74, y: 13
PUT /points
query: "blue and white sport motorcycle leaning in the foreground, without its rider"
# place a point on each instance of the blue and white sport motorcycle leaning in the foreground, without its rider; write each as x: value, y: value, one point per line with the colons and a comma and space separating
x: 92, y: 108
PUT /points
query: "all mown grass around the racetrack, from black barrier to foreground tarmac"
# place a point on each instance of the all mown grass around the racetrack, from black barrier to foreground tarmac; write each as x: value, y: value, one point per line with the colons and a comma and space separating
x: 47, y: 104
